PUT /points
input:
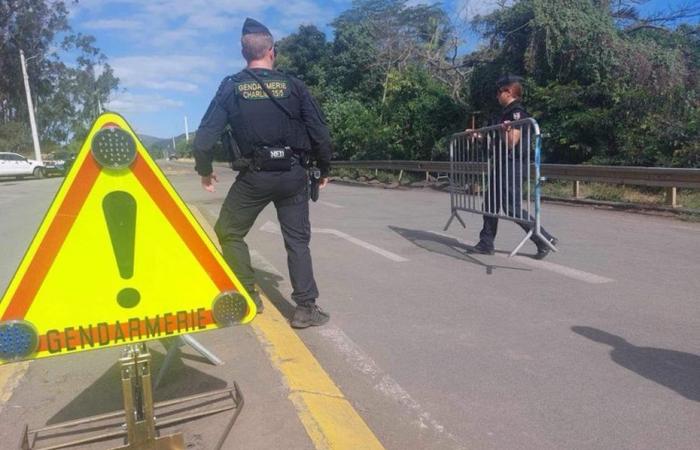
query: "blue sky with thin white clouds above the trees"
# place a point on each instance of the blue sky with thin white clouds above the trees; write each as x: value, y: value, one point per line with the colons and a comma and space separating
x: 171, y: 55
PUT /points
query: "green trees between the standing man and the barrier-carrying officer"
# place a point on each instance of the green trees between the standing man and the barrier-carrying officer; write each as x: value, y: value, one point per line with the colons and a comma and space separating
x: 375, y: 79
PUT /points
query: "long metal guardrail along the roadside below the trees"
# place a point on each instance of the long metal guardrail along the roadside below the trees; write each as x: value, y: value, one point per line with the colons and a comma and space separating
x: 670, y: 178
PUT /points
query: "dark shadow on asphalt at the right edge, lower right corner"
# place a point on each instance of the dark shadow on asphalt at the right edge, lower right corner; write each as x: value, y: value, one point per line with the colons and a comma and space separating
x: 678, y: 371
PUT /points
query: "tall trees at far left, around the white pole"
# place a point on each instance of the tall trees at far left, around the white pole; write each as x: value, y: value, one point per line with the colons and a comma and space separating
x: 68, y: 75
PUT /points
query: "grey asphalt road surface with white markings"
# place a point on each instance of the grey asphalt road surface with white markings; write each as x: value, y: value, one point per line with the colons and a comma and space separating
x: 596, y: 347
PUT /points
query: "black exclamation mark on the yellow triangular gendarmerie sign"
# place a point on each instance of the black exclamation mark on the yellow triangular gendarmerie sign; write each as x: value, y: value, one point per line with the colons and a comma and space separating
x: 120, y: 213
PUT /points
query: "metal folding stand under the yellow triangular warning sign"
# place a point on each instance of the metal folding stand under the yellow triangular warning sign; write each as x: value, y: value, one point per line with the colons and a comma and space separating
x: 140, y: 428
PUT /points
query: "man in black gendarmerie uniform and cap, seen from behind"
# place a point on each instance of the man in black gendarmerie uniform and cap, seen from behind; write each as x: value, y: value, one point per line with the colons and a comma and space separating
x: 277, y: 126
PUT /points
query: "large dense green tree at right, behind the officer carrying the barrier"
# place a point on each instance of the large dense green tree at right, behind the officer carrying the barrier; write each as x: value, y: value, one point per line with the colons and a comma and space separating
x: 605, y: 94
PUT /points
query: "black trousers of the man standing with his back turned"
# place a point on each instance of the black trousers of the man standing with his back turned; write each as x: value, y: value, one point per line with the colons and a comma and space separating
x: 249, y: 195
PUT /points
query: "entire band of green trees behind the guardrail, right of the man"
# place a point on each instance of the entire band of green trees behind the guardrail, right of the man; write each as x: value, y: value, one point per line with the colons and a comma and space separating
x: 606, y: 85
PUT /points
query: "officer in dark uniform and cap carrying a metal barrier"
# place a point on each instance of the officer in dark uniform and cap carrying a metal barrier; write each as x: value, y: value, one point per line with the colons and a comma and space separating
x: 503, y: 191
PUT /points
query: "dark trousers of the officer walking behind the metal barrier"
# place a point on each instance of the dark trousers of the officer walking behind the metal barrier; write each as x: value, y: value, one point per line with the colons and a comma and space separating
x: 506, y: 192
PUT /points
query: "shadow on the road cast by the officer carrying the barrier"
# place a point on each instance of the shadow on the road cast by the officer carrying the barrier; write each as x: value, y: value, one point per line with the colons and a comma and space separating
x: 447, y: 246
